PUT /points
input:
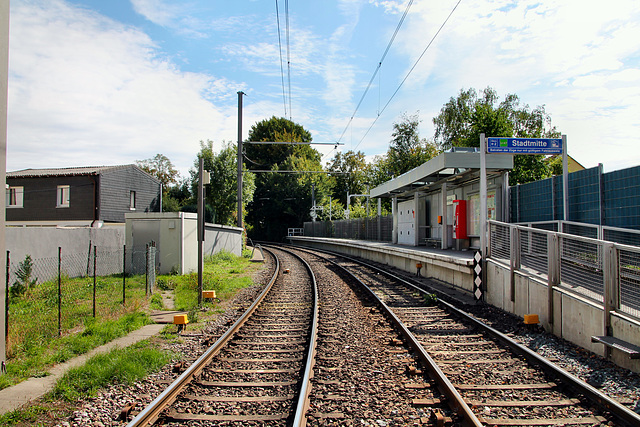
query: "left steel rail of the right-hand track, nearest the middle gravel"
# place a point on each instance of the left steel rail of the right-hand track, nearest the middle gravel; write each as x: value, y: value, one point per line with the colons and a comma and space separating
x: 444, y: 385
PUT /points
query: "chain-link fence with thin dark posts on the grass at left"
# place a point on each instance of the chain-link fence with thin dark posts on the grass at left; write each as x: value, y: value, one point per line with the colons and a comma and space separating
x: 53, y: 296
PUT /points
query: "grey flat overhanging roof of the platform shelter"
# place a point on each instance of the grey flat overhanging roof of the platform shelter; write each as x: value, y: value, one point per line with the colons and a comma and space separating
x: 456, y: 168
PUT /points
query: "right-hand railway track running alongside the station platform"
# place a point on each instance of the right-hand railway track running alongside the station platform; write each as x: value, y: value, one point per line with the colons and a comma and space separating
x: 487, y: 378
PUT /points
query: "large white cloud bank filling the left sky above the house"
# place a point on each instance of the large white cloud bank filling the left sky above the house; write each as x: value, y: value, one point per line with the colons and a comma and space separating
x: 85, y: 90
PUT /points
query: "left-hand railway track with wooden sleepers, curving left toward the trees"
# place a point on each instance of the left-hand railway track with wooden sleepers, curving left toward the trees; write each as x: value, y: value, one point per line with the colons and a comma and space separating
x: 258, y: 371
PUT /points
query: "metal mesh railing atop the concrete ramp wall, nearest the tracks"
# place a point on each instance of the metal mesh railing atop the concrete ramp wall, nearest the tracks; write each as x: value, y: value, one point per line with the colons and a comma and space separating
x: 606, y: 272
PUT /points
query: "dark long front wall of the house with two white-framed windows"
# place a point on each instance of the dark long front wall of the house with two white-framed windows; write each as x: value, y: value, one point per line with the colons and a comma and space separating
x: 40, y: 199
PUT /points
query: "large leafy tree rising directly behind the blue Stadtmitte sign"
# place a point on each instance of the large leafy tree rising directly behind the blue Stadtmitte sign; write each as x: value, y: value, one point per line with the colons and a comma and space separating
x: 464, y: 118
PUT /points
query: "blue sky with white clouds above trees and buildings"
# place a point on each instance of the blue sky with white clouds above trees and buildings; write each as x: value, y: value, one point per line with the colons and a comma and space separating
x: 95, y: 82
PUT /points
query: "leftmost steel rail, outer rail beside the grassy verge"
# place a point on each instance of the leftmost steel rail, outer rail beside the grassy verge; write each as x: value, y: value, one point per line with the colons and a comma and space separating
x: 151, y: 413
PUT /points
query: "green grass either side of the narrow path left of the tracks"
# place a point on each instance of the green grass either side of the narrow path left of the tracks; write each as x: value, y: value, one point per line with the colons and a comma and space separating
x: 32, y: 356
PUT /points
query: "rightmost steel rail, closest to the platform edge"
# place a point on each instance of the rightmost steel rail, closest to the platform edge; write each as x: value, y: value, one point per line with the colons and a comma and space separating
x: 624, y: 414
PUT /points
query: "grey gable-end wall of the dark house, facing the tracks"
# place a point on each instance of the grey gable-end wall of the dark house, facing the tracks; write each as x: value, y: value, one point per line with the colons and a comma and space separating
x: 115, y: 187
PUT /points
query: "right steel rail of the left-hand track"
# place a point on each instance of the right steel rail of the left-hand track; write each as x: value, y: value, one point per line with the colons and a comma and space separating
x: 299, y: 419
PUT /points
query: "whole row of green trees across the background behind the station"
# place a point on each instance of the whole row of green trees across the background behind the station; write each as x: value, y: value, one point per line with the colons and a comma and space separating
x: 282, y: 181
